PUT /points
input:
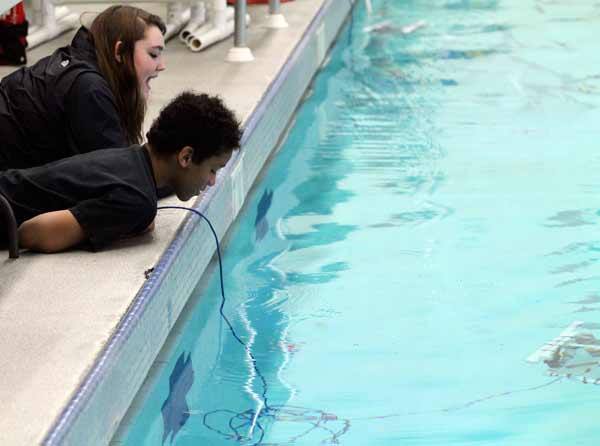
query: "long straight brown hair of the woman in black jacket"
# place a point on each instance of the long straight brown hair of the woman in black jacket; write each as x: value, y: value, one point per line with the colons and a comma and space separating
x: 127, y: 24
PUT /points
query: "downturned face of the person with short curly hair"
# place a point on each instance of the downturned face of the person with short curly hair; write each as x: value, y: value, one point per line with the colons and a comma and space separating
x: 194, y: 178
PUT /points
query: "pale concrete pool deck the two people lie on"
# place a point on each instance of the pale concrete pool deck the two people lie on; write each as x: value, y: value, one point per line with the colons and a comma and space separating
x: 58, y: 312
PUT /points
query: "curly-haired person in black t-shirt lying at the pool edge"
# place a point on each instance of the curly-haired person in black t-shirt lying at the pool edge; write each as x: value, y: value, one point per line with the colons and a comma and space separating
x: 105, y: 195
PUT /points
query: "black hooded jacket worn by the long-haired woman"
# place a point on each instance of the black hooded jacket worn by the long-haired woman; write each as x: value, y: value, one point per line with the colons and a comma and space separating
x: 59, y: 107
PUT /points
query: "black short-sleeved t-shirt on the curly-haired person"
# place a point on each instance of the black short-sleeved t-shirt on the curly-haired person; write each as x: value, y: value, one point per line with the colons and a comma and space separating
x: 111, y: 193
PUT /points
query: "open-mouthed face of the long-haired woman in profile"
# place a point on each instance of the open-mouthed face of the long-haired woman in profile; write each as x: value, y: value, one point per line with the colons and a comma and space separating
x: 148, y: 59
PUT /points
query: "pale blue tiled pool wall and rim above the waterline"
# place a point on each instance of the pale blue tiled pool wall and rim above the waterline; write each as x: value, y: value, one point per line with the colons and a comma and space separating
x: 95, y: 411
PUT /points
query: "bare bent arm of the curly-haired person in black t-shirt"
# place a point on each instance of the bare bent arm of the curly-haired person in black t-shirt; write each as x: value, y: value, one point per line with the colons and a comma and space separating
x: 51, y: 232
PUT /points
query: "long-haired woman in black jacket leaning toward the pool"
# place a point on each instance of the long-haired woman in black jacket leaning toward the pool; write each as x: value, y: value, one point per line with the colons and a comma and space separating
x: 85, y: 96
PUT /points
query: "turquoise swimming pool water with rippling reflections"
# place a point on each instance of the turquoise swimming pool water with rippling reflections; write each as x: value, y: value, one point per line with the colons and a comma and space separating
x: 430, y: 222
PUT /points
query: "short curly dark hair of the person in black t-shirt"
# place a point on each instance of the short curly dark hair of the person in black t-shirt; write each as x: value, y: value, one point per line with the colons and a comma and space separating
x: 200, y: 121
